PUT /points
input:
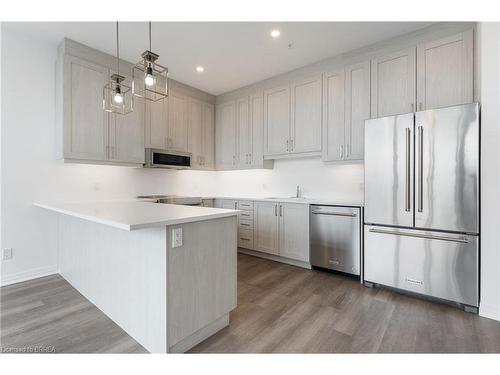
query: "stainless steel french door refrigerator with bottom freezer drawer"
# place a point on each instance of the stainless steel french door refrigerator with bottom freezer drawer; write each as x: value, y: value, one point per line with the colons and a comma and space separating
x: 421, y: 231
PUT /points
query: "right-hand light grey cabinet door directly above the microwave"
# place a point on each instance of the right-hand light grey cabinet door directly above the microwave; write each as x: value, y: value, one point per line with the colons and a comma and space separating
x: 178, y: 121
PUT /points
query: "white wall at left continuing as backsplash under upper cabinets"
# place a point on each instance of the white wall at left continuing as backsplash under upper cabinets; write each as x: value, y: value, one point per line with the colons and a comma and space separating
x: 30, y: 171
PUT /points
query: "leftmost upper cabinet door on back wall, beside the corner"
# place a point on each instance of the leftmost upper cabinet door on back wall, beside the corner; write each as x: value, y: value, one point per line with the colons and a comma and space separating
x: 225, y: 135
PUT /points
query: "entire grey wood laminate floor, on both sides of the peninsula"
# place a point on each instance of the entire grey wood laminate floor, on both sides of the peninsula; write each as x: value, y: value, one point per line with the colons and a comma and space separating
x: 281, y: 309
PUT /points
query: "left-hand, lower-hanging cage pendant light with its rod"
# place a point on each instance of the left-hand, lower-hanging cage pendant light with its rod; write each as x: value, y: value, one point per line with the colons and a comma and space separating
x: 117, y: 97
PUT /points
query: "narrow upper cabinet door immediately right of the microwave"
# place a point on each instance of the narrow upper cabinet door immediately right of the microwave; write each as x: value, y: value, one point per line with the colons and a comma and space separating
x: 195, y: 132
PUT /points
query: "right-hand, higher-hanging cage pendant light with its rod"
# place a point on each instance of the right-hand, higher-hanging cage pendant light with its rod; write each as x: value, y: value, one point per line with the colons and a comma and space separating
x: 149, y: 79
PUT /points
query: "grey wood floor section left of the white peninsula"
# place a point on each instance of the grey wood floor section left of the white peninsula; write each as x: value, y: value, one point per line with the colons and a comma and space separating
x: 49, y: 313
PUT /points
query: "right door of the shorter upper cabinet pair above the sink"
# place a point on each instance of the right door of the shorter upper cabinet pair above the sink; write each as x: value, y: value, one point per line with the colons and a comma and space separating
x: 305, y: 124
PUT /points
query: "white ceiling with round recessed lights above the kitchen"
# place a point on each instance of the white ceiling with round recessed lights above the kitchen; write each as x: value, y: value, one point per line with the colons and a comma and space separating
x: 234, y: 54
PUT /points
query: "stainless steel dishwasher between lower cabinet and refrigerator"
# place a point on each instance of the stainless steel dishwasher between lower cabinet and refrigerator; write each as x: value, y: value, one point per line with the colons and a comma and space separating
x: 335, y: 238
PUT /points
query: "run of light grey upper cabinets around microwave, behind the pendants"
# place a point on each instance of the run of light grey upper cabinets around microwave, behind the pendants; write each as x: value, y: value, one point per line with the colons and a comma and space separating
x: 88, y: 134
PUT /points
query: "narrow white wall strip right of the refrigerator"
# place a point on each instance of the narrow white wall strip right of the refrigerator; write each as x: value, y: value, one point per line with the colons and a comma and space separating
x: 490, y: 168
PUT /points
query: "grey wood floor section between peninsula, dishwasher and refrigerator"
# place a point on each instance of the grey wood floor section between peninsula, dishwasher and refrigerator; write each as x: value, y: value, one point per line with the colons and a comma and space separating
x: 285, y: 309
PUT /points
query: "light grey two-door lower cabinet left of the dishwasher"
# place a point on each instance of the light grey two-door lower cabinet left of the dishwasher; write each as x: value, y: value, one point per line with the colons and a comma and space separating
x: 282, y: 229
